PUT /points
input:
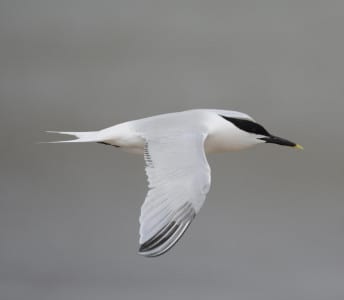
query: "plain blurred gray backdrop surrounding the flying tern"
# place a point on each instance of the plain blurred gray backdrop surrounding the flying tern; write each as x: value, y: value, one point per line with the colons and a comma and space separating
x: 273, y: 224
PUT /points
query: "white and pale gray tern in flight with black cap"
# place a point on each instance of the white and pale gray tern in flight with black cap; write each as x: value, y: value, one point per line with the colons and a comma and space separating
x: 174, y: 147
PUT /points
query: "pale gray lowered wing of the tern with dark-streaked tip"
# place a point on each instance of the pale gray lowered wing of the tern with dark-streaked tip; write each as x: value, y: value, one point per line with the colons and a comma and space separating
x: 179, y: 179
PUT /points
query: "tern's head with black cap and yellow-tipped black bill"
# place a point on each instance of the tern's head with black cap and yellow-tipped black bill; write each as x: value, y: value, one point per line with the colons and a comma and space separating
x: 257, y: 133
